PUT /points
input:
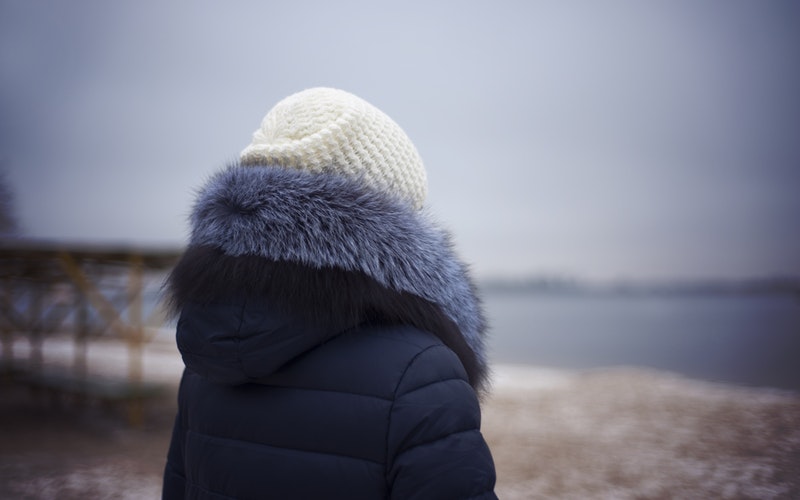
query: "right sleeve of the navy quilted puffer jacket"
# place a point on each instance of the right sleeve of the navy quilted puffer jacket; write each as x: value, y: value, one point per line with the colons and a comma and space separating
x: 435, y: 446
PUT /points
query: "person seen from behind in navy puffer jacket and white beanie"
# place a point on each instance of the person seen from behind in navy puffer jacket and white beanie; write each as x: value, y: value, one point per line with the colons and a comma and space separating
x: 333, y: 343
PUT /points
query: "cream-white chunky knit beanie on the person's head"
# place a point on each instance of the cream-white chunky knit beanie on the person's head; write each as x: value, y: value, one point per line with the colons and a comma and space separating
x: 329, y: 130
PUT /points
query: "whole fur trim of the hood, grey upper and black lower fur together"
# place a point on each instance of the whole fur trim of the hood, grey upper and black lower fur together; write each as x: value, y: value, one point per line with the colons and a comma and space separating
x: 331, y: 252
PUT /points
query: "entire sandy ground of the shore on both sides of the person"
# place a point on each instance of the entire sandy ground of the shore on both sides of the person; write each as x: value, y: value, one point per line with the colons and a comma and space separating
x: 612, y: 433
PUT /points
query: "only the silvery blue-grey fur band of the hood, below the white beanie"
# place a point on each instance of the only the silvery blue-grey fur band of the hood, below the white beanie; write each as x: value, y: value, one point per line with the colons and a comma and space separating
x: 324, y: 220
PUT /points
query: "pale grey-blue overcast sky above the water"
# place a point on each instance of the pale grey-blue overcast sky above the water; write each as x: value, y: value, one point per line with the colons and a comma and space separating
x: 598, y: 140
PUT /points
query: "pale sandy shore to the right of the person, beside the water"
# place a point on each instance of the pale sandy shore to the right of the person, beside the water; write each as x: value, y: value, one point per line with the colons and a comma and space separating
x: 635, y: 433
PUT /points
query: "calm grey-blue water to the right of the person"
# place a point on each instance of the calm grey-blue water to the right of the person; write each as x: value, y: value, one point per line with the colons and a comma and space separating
x: 750, y: 340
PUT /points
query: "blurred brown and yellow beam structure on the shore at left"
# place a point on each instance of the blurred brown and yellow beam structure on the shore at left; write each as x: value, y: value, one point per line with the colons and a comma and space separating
x: 92, y: 271
